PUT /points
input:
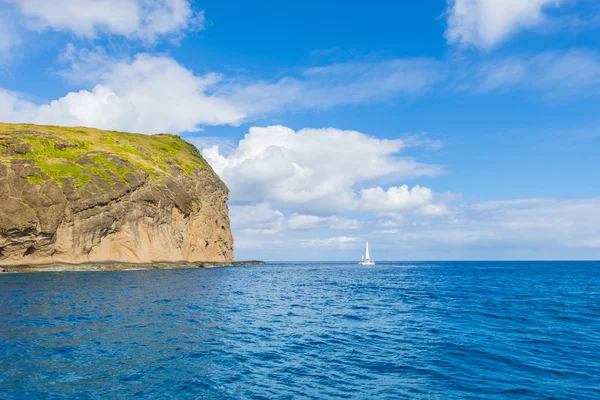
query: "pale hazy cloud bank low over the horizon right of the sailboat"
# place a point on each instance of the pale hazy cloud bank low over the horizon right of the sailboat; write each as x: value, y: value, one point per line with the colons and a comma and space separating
x: 524, y: 228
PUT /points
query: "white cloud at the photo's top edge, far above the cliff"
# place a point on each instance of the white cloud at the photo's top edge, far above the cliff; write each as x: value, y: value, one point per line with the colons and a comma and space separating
x: 142, y: 19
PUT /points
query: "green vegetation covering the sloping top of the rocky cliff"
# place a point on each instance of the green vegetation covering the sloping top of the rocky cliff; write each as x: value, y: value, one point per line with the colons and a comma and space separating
x: 81, y: 154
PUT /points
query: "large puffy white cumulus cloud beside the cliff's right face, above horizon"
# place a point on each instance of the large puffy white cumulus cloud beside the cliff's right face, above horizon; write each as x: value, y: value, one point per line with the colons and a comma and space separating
x: 300, y: 186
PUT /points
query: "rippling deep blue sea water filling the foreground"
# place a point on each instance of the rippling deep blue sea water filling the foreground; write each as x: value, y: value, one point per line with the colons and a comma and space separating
x: 427, y: 330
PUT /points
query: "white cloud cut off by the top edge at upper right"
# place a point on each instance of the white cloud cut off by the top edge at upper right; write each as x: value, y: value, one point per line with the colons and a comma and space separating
x: 486, y: 23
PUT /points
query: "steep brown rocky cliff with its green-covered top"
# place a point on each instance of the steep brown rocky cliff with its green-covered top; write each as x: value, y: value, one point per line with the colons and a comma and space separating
x: 76, y: 195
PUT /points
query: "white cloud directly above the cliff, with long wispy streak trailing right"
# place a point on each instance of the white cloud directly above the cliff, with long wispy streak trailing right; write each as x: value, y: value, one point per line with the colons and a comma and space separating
x: 150, y: 94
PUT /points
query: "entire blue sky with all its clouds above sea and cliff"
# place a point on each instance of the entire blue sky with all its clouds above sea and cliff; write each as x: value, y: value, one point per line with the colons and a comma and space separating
x: 460, y: 129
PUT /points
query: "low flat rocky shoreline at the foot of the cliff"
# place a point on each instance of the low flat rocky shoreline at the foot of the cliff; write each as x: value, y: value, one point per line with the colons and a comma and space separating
x: 117, y: 266
